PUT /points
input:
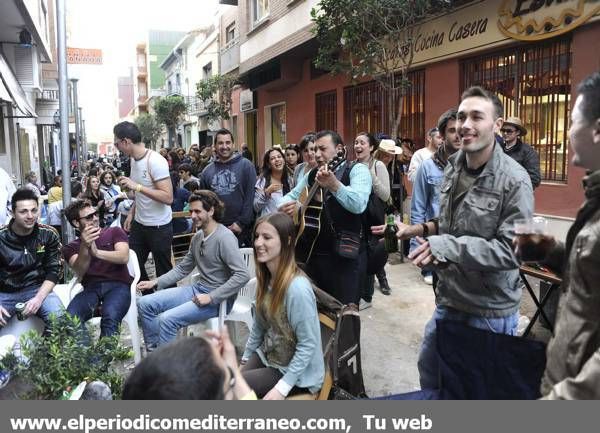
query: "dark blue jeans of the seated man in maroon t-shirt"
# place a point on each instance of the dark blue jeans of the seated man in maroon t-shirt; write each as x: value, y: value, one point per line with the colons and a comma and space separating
x: 115, y: 297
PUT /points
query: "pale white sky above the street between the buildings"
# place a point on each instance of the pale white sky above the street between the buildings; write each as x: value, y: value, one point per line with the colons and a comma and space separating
x: 116, y: 27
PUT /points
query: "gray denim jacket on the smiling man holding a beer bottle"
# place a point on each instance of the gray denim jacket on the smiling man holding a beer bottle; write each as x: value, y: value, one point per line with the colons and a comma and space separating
x: 478, y: 270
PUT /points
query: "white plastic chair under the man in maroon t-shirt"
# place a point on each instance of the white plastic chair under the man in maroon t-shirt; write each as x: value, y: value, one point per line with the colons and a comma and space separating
x: 66, y: 292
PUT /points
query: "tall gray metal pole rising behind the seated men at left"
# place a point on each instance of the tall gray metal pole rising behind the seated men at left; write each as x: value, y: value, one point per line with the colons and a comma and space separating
x: 63, y: 97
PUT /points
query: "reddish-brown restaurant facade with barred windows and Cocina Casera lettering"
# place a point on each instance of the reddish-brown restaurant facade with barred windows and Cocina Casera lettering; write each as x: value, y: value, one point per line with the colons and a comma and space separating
x: 531, y: 56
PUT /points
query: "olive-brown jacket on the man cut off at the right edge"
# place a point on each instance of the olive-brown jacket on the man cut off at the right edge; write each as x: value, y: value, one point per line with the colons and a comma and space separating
x: 573, y: 356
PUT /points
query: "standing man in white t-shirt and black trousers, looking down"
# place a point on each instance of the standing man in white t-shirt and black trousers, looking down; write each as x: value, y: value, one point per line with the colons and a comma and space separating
x: 149, y: 221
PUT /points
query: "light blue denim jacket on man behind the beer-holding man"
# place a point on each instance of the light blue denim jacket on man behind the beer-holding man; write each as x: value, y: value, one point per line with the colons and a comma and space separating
x: 425, y: 202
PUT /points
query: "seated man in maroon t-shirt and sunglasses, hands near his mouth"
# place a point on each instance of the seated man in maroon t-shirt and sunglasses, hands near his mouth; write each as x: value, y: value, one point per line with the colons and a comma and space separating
x: 99, y: 258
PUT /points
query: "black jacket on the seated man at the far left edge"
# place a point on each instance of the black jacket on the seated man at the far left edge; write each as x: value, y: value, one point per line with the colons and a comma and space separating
x: 27, y: 261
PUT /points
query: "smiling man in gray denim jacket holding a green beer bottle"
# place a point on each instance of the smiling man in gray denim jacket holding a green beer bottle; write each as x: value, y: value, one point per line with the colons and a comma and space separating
x: 483, y: 192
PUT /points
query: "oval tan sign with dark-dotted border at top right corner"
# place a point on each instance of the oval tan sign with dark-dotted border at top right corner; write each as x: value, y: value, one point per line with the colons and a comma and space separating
x: 533, y: 20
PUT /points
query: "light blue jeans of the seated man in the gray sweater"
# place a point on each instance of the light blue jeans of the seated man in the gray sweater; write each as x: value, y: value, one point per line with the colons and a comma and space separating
x: 164, y: 312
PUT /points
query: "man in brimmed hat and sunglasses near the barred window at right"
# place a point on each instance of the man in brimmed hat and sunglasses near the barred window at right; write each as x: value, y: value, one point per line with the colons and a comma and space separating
x: 513, y: 132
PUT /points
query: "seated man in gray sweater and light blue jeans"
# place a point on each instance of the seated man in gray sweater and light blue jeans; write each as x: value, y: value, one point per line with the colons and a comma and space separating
x: 214, y: 251
